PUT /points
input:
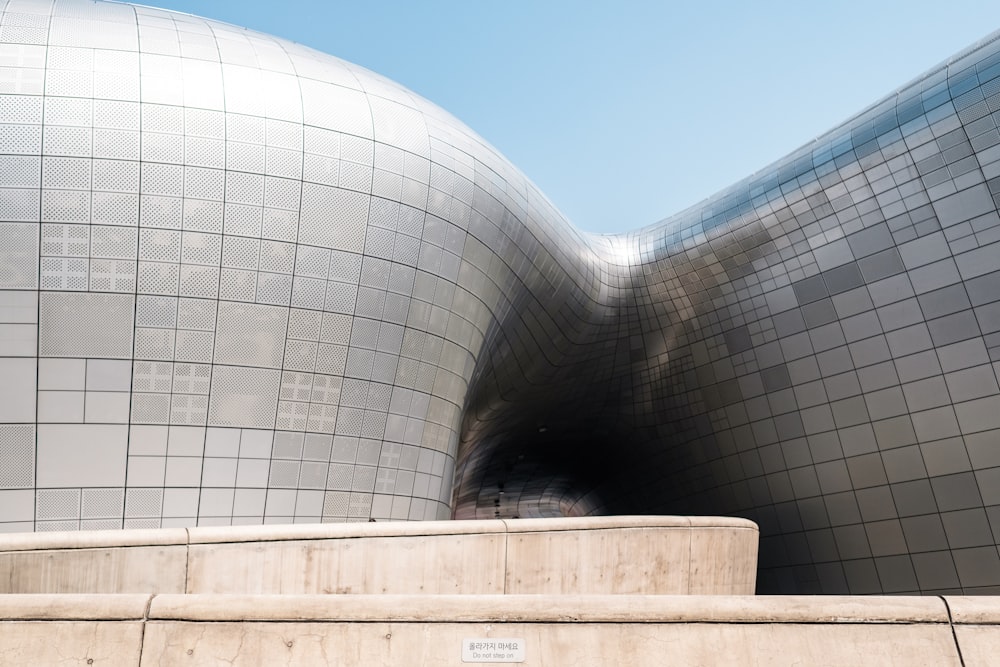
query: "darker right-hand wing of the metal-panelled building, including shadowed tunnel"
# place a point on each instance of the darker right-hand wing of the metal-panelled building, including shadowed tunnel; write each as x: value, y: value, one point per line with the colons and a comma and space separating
x: 814, y: 348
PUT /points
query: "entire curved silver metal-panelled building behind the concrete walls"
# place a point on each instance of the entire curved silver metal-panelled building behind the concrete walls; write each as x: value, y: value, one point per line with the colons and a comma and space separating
x: 333, y: 301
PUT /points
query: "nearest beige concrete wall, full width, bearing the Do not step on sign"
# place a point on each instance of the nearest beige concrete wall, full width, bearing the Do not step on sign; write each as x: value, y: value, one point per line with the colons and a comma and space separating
x: 172, y: 629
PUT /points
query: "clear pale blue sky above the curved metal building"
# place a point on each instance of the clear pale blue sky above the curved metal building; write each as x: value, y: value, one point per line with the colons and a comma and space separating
x: 626, y: 112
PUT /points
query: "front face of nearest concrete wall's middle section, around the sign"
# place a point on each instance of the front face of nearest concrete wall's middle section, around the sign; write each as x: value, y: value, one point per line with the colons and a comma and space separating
x: 633, y: 644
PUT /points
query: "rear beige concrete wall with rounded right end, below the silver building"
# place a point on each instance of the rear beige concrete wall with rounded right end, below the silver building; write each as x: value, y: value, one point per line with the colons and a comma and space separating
x: 602, y: 555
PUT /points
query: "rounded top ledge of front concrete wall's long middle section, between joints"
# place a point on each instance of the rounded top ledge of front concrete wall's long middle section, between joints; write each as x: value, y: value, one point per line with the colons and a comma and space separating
x: 657, y: 609
